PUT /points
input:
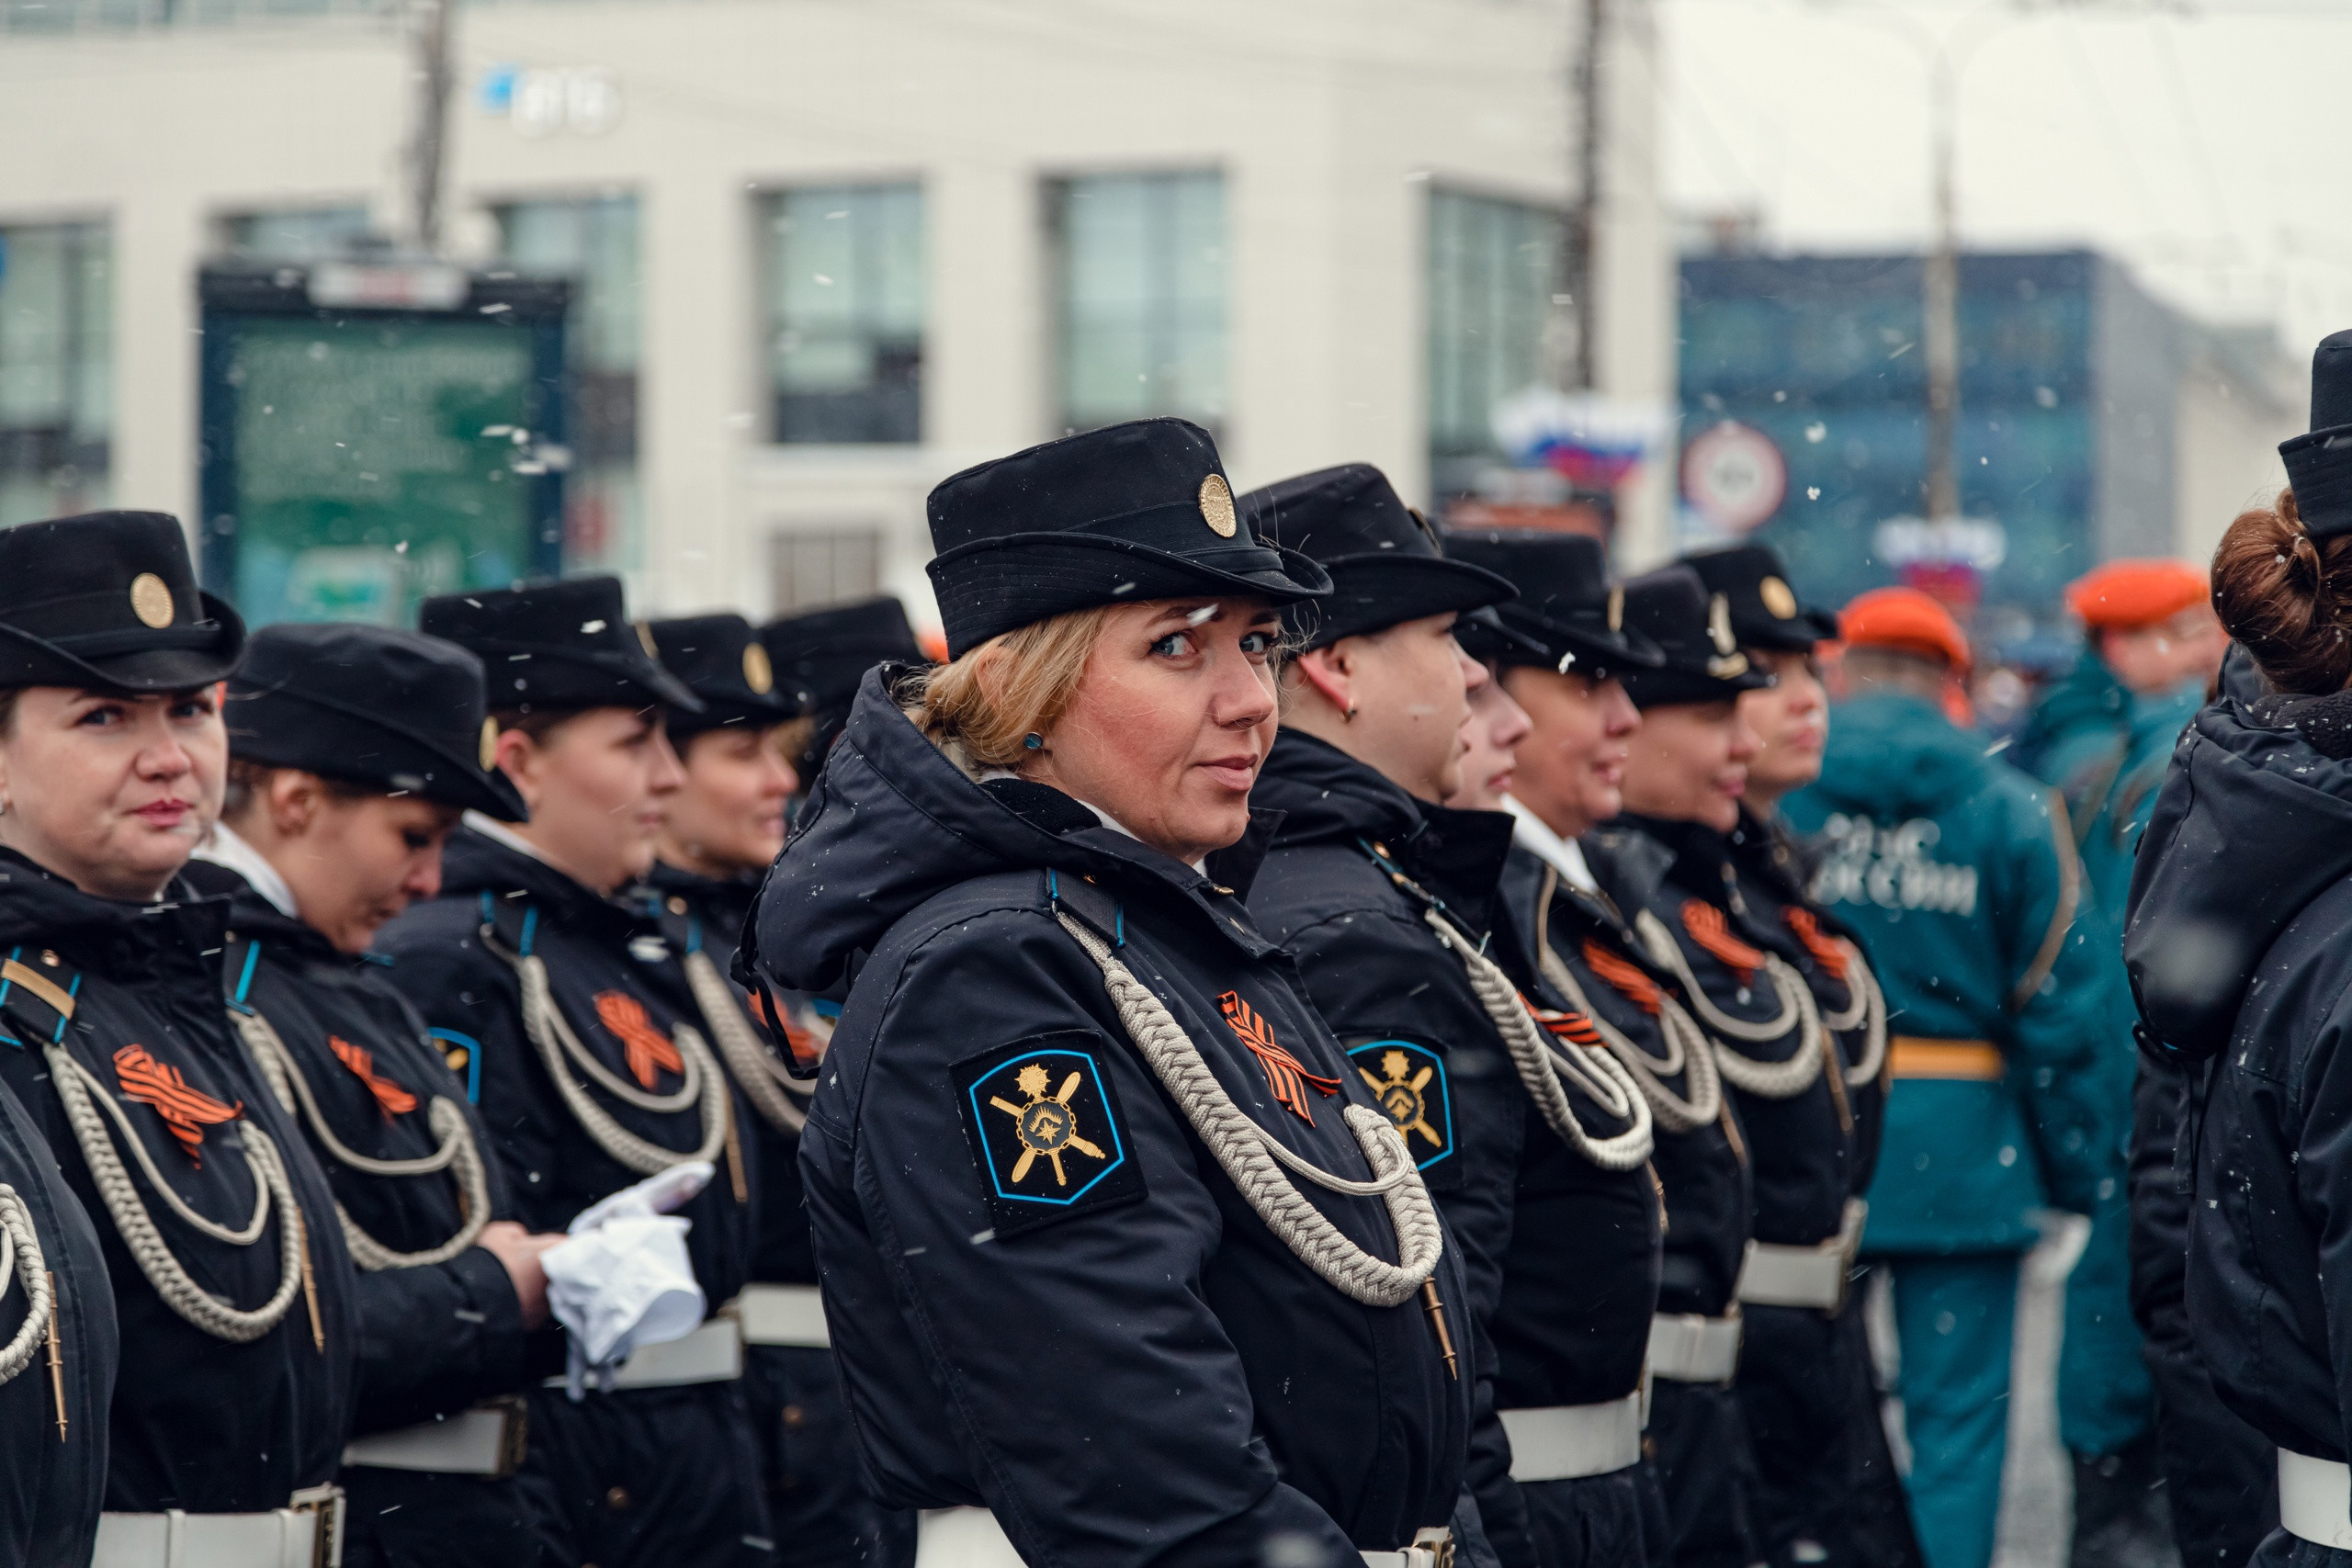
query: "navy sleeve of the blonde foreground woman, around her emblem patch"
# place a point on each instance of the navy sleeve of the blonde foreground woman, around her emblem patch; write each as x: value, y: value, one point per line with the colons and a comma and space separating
x: 1085, y: 1322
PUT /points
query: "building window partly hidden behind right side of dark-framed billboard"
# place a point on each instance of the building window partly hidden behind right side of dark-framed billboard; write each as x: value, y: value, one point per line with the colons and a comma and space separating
x: 594, y: 246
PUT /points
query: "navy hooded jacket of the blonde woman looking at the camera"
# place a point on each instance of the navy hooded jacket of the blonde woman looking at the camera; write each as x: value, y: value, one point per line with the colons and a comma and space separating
x: 1114, y: 1355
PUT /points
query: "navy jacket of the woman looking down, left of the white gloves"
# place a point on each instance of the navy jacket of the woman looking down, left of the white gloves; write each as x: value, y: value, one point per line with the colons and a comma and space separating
x: 434, y: 1339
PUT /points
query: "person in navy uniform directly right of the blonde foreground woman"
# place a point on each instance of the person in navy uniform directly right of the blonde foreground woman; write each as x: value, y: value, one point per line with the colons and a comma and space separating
x: 1535, y: 1146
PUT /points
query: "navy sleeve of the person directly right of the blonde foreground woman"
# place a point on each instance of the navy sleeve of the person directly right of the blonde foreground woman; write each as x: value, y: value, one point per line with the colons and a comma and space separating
x: 1372, y: 974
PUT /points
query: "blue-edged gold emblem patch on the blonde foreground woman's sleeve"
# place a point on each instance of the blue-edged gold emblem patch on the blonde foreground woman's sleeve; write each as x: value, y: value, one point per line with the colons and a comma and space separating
x: 1048, y: 1130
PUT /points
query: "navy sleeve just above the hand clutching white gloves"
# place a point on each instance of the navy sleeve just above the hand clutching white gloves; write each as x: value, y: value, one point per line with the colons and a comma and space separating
x: 469, y: 998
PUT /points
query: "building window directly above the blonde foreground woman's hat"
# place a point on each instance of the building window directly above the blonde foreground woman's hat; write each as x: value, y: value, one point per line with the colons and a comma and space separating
x: 1142, y: 297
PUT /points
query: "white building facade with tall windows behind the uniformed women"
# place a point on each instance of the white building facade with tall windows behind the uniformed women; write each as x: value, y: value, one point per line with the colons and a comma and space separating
x: 829, y: 253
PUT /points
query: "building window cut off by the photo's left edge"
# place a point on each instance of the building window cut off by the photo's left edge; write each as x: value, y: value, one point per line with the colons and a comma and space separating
x: 58, y: 408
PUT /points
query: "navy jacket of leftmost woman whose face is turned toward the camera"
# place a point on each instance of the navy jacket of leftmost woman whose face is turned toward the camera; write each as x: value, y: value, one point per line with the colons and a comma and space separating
x: 199, y: 1423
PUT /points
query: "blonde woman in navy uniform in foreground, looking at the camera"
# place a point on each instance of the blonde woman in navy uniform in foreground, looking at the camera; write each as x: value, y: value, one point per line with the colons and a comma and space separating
x: 1114, y: 1240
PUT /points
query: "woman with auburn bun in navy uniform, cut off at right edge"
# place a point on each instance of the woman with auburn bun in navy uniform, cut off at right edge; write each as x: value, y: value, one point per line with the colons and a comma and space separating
x: 2238, y: 960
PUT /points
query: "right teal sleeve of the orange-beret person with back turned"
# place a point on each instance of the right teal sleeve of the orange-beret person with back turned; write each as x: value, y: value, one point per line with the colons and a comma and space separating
x: 2062, y: 1014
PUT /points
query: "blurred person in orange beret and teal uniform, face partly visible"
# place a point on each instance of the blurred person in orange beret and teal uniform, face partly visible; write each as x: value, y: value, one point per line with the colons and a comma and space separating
x: 2104, y: 737
